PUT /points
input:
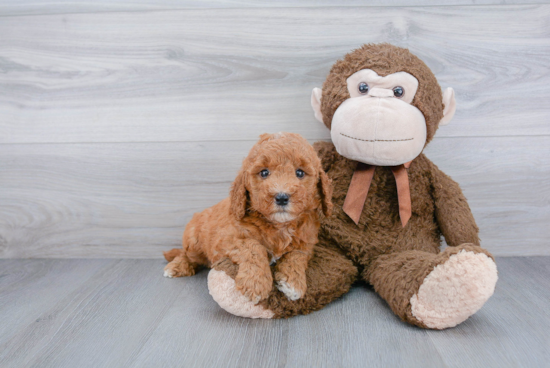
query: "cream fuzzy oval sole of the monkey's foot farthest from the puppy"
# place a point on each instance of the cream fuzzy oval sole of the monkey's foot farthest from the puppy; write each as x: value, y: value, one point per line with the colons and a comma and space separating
x: 455, y: 290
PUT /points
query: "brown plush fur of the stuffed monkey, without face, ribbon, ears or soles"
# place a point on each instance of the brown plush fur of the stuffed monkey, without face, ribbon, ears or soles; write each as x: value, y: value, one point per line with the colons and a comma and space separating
x: 392, y: 258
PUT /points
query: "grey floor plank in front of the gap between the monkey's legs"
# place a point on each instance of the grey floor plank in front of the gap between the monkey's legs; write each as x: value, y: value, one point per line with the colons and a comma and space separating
x: 343, y: 335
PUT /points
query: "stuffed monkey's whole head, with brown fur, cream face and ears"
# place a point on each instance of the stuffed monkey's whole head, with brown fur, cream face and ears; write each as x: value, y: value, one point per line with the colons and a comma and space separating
x: 382, y: 105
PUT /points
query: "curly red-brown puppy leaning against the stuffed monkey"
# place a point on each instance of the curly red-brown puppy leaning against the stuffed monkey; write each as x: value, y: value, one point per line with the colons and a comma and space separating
x: 271, y: 215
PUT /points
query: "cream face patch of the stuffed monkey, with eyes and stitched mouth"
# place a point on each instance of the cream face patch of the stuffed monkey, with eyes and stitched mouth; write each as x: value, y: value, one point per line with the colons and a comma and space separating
x: 378, y: 125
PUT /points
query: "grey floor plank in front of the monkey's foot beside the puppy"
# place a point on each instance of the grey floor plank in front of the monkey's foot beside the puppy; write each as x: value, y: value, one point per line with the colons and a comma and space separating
x: 235, y: 342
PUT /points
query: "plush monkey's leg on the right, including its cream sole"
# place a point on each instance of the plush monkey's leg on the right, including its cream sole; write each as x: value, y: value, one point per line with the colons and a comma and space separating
x: 435, y: 290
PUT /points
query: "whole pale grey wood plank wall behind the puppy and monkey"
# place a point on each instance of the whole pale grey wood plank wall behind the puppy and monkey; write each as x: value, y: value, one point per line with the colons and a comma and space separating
x: 120, y: 119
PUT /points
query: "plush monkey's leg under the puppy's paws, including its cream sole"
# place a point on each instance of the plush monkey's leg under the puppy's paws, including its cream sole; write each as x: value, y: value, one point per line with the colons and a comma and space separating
x: 329, y: 275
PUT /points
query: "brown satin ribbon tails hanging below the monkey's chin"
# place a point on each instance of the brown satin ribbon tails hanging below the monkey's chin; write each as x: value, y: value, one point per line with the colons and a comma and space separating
x: 359, y: 188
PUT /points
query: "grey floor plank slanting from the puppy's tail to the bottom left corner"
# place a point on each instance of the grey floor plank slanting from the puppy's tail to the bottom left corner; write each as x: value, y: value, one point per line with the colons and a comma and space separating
x: 124, y: 303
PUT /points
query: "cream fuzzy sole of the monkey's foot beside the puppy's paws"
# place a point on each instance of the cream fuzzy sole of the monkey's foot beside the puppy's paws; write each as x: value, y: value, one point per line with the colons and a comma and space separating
x: 223, y: 290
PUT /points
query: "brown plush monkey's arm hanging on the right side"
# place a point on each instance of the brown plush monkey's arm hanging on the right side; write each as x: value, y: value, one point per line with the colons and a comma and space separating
x: 453, y: 215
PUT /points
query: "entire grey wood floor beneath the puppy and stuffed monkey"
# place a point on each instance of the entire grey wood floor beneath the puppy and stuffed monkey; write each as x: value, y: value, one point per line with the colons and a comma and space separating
x: 123, y: 313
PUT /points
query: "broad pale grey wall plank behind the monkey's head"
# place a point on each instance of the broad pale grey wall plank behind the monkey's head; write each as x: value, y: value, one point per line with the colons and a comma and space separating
x: 231, y: 74
